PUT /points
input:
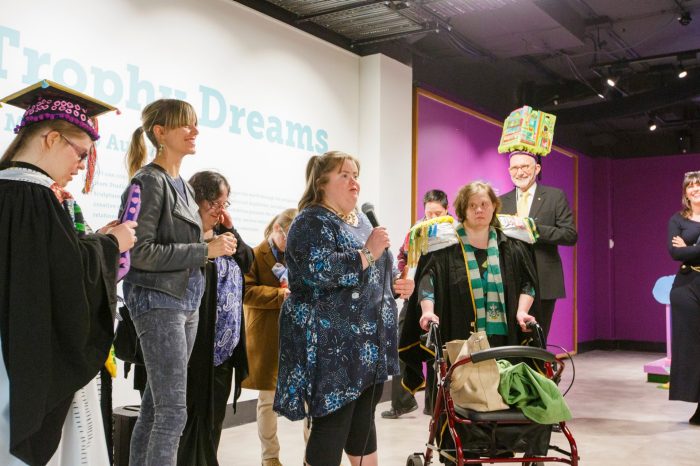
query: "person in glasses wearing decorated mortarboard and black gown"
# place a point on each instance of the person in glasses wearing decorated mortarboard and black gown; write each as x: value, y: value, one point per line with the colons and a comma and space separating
x: 58, y: 284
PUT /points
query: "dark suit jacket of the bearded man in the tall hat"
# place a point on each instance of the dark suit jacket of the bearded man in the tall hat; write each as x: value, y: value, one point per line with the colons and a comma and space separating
x: 555, y: 223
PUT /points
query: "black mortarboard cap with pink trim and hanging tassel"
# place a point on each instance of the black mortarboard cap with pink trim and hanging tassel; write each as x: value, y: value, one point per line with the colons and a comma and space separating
x: 47, y: 100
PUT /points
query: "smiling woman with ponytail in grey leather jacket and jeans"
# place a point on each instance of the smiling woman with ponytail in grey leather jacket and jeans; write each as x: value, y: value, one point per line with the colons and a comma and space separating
x: 165, y: 284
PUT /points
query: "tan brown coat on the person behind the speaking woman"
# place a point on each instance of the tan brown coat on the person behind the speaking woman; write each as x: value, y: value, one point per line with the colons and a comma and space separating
x: 261, y: 305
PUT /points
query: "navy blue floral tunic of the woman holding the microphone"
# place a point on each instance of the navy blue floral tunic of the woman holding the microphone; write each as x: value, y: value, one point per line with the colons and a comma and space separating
x: 338, y: 328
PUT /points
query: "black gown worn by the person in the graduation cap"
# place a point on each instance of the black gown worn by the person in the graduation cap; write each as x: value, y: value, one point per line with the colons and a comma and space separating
x: 57, y: 301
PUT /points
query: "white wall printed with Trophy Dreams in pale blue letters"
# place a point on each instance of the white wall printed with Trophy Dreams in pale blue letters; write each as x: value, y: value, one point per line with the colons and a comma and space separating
x: 248, y: 77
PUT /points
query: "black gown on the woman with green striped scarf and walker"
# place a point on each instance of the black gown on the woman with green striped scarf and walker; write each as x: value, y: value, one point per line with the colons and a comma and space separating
x: 453, y: 303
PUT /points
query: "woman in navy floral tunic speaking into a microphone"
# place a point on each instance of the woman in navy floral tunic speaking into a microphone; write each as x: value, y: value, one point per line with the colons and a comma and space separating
x: 338, y: 334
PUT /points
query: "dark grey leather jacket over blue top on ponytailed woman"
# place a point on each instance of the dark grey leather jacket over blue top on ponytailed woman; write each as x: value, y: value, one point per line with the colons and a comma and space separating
x: 169, y: 235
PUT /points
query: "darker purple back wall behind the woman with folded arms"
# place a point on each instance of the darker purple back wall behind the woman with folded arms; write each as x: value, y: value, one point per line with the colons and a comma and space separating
x: 645, y: 193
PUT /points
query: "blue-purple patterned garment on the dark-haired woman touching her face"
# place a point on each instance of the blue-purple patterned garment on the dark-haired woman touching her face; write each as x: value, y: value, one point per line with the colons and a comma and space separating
x: 229, y: 306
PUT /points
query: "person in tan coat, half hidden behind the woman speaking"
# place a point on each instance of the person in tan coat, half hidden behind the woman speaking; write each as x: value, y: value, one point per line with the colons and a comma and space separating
x: 266, y: 290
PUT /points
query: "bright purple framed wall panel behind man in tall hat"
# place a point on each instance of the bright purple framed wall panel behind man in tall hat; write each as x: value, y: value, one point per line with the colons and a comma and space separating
x: 455, y: 147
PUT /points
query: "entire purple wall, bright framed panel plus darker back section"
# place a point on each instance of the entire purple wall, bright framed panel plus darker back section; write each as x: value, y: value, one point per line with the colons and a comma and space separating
x: 628, y: 201
